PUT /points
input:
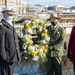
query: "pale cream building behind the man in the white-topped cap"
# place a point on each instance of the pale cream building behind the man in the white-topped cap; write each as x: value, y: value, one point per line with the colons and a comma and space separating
x: 18, y: 5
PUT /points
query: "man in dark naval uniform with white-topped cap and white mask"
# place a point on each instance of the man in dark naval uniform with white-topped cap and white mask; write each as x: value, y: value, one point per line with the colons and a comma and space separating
x: 9, y: 48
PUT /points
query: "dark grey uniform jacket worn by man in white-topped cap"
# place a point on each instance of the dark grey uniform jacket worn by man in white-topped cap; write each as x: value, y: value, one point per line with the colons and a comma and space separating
x: 9, y: 48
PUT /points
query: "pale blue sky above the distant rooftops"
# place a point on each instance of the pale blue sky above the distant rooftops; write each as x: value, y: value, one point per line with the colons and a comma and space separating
x: 66, y: 3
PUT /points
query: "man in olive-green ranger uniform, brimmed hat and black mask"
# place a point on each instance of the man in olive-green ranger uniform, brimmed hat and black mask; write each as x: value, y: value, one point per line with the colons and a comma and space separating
x: 55, y: 51
